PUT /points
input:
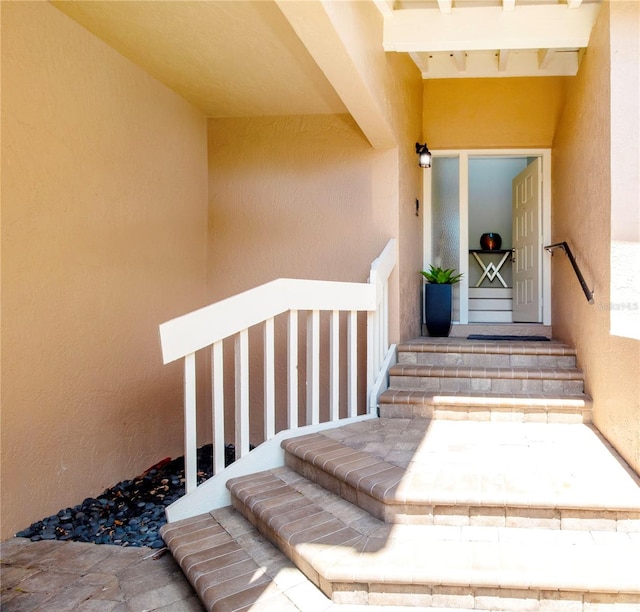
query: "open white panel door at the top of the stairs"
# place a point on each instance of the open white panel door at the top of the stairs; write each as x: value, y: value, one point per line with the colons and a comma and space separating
x: 526, y: 202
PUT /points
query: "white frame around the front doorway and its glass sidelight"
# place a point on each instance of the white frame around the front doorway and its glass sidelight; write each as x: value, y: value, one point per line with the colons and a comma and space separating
x: 463, y: 156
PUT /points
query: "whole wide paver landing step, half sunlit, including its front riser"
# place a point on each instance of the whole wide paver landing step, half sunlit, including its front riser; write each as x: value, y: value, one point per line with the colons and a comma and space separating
x: 475, y: 473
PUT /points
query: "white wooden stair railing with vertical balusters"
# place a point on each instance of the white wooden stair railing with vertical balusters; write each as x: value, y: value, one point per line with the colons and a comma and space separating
x: 208, y: 327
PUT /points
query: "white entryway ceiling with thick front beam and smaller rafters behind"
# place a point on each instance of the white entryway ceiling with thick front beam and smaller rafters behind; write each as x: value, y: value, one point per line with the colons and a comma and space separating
x: 489, y: 38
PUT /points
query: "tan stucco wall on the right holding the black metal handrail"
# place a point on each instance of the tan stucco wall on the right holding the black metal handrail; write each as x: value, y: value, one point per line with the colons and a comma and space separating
x: 584, y: 152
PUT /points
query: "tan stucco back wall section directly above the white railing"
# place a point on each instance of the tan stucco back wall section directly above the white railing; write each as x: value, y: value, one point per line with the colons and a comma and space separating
x: 292, y: 197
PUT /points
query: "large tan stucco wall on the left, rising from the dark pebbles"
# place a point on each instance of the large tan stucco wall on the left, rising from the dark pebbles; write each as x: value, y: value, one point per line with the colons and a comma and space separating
x: 104, y: 208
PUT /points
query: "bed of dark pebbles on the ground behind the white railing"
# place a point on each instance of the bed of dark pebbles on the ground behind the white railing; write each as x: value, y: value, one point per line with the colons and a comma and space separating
x: 129, y: 513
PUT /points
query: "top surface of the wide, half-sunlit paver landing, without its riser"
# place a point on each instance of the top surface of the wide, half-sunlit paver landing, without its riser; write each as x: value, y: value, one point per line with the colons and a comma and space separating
x: 549, y: 466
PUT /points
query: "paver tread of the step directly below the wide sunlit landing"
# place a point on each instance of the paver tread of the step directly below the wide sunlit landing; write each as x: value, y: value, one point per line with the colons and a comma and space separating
x: 339, y: 543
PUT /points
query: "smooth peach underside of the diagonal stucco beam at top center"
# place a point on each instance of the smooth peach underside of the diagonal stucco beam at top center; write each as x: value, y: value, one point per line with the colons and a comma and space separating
x: 319, y: 35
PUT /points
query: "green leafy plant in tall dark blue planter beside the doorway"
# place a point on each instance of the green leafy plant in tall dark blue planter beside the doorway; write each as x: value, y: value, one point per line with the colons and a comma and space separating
x: 438, y: 299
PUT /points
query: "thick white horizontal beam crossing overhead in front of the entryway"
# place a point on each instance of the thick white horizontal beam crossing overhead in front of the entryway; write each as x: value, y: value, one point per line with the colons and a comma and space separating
x: 487, y: 28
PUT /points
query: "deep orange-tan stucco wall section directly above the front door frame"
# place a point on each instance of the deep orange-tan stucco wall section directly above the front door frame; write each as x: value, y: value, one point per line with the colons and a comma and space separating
x: 492, y: 113
